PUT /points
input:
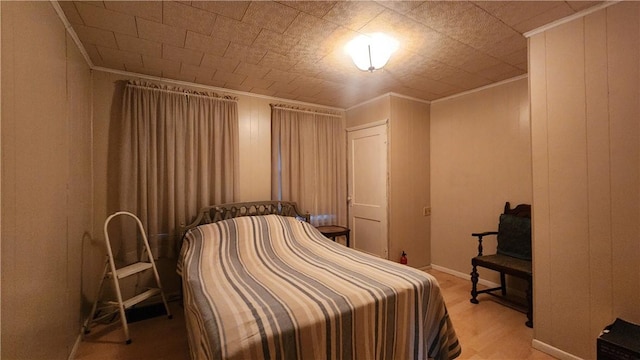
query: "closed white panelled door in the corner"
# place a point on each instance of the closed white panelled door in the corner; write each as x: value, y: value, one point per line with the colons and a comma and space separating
x: 368, y: 188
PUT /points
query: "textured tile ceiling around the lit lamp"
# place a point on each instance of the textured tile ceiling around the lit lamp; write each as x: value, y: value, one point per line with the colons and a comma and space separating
x: 294, y: 49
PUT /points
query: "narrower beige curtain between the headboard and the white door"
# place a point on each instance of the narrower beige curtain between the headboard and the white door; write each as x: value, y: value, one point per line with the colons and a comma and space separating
x: 309, y: 162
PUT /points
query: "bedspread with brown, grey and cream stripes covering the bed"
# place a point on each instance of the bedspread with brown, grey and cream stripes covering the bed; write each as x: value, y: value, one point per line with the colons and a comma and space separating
x: 272, y: 287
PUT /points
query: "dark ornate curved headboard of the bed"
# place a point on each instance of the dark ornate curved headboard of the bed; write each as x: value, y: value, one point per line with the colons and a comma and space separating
x: 215, y: 213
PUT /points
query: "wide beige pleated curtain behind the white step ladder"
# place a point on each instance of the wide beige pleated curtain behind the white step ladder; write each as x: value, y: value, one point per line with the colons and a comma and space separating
x: 178, y: 153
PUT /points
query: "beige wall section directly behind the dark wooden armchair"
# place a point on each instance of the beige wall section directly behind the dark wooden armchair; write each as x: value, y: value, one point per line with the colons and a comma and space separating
x: 480, y: 158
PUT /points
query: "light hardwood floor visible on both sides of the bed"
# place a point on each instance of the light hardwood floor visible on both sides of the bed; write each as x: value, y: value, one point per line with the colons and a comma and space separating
x: 486, y: 331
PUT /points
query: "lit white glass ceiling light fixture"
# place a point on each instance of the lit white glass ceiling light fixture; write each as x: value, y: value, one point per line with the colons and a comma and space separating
x: 371, y: 52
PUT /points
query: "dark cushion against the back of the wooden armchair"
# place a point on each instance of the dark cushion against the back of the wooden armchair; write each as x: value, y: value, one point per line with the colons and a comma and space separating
x: 514, y: 236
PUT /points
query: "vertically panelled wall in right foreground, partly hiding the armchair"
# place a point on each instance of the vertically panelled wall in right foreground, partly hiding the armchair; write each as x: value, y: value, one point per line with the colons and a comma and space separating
x: 585, y: 113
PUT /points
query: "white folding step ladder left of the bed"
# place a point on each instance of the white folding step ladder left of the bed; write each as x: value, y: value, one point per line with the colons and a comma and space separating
x: 106, y: 309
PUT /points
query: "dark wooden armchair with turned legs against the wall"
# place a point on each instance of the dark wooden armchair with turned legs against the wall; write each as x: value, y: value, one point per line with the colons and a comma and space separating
x: 513, y: 255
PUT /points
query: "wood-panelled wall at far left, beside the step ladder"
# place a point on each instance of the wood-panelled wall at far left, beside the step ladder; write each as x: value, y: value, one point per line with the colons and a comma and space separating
x: 46, y: 182
